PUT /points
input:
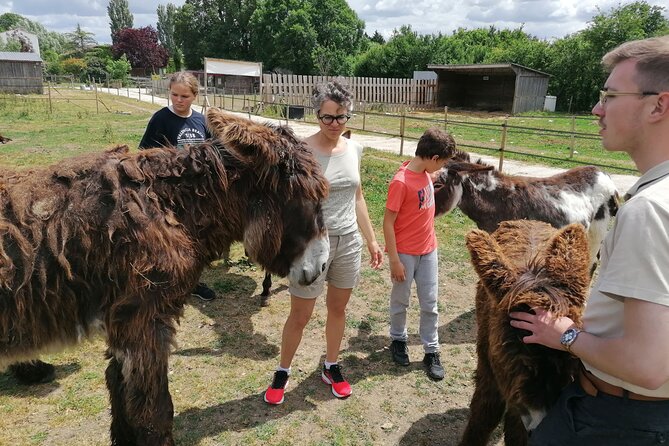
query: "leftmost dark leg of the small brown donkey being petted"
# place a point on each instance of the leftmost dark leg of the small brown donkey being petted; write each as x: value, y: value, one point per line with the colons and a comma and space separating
x: 486, y: 408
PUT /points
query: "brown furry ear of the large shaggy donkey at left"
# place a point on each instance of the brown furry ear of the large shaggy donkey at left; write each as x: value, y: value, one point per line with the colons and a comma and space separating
x: 243, y: 136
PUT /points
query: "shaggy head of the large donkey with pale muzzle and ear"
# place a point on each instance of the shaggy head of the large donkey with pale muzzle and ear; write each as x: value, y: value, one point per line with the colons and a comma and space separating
x: 283, y: 184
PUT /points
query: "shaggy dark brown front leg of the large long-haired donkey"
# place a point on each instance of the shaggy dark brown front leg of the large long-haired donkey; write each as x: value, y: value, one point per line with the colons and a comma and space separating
x: 137, y: 379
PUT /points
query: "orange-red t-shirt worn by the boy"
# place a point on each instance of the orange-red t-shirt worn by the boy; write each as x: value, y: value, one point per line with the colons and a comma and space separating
x: 411, y: 195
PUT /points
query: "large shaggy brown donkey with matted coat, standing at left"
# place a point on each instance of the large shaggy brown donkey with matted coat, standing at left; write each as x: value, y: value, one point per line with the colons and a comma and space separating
x: 113, y: 242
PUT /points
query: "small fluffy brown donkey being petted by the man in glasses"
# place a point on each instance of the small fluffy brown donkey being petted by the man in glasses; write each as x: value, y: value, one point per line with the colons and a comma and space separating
x: 524, y: 264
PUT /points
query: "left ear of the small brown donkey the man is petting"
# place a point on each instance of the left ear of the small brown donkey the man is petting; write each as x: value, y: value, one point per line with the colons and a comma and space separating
x: 495, y: 271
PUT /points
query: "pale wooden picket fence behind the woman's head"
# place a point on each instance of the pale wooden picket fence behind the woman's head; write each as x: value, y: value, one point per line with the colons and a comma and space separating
x: 296, y: 90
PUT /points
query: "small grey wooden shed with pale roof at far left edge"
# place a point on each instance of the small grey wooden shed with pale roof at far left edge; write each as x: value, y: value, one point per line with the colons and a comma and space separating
x: 21, y: 73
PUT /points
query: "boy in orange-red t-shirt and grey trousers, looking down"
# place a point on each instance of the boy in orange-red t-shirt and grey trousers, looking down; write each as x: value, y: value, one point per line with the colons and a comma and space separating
x: 411, y: 243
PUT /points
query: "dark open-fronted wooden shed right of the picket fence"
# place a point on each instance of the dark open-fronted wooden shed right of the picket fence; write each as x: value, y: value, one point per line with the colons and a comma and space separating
x: 508, y: 87
